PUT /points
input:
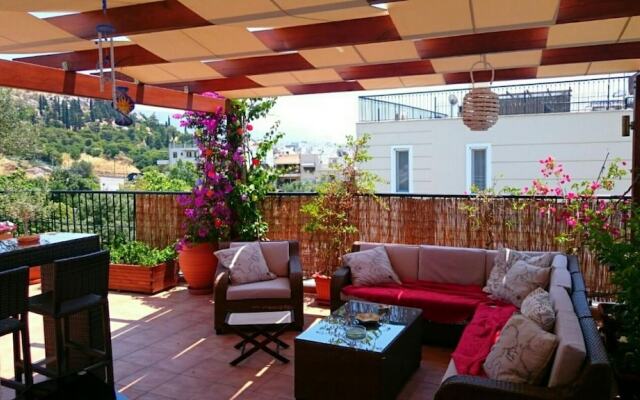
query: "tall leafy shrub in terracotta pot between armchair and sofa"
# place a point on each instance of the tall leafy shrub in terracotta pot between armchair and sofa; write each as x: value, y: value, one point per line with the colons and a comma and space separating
x: 332, y: 212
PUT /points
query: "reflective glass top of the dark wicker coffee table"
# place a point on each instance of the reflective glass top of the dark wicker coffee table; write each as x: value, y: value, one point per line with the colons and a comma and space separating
x: 332, y: 330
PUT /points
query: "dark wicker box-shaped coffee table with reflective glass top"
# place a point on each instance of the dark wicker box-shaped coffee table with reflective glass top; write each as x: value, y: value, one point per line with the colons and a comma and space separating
x: 331, y: 366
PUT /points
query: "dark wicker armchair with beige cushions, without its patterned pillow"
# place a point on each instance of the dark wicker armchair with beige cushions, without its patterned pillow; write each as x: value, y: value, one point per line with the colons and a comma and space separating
x: 283, y: 293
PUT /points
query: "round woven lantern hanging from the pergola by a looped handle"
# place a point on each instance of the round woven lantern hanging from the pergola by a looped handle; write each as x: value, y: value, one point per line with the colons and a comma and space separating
x: 481, y: 106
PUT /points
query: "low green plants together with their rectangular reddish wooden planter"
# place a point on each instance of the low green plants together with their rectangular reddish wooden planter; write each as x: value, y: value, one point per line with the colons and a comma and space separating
x: 137, y: 267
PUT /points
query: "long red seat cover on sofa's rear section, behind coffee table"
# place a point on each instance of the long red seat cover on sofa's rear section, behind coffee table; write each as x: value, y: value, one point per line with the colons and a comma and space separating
x: 445, y: 303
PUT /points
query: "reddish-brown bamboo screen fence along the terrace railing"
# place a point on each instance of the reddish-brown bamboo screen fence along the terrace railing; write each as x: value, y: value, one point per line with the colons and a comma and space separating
x: 436, y: 220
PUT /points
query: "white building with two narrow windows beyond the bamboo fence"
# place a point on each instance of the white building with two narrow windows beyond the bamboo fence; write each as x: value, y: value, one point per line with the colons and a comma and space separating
x: 442, y: 156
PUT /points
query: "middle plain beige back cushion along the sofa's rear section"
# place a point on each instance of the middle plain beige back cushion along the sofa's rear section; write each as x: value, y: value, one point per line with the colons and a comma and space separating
x: 457, y: 265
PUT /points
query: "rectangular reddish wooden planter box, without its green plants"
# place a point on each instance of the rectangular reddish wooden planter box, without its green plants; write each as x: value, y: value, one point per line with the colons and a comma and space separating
x: 148, y: 280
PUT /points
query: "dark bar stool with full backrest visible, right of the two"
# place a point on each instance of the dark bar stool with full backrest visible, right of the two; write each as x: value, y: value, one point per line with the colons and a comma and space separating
x: 79, y: 284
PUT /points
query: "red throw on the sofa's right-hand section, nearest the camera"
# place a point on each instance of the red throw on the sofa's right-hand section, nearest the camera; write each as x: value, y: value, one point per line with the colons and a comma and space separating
x: 478, y: 337
